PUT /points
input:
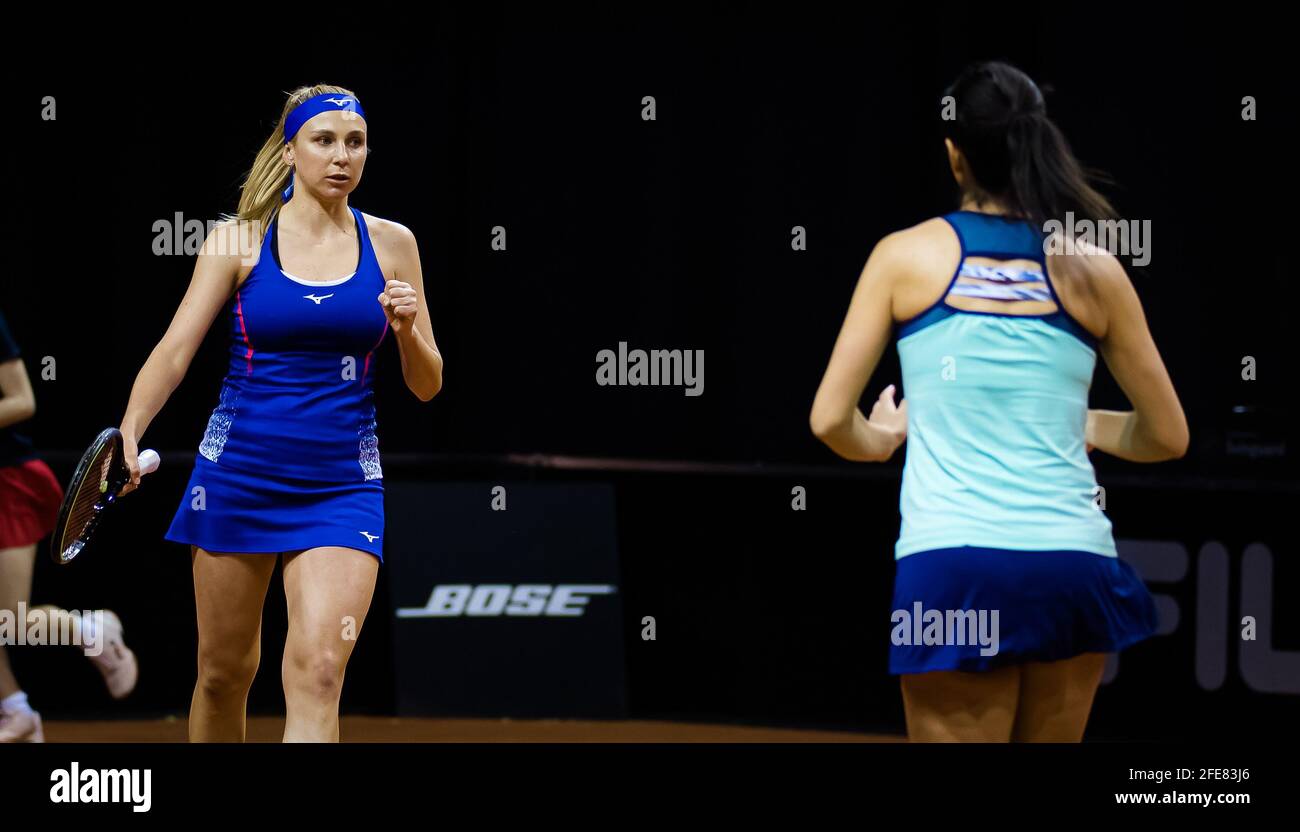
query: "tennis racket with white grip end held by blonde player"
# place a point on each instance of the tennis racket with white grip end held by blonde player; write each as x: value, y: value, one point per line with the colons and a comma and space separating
x: 97, y: 483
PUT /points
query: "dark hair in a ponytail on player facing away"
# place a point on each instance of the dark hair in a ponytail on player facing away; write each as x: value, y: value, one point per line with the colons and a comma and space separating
x: 1015, y: 151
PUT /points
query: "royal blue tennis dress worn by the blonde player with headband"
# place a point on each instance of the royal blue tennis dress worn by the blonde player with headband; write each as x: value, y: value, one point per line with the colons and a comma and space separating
x: 291, y: 458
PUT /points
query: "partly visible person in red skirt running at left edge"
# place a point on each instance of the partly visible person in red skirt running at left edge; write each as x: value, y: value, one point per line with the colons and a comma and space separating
x: 31, y: 496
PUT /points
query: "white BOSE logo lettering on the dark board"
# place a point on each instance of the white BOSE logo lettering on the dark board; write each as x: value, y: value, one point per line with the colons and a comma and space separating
x: 492, y: 600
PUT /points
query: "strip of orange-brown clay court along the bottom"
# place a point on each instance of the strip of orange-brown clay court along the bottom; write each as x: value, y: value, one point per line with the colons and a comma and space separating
x: 410, y: 730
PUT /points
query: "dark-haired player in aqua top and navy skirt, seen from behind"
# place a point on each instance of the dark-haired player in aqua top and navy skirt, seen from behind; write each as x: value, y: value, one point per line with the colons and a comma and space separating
x: 998, y: 337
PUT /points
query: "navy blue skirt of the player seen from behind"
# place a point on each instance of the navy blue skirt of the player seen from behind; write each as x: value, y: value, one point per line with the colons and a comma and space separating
x: 974, y: 609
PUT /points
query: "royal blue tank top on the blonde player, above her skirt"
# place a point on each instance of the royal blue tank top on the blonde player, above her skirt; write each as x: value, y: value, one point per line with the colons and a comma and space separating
x: 298, y: 400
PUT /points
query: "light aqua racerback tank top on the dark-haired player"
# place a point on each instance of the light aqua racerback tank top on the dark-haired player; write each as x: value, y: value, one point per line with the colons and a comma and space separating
x: 996, y: 409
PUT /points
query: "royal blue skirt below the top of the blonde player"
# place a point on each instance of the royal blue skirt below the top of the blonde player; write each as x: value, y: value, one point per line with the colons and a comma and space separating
x: 246, y: 513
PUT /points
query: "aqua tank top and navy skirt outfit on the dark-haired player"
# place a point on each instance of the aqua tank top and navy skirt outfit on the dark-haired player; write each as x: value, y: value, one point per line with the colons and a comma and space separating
x: 1003, y: 554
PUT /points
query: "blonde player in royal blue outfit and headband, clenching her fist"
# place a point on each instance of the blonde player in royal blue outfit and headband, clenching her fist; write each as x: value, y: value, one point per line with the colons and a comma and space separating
x: 291, y: 462
